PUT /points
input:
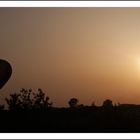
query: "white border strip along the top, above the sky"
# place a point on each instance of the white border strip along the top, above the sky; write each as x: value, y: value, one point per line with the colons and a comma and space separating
x: 69, y: 3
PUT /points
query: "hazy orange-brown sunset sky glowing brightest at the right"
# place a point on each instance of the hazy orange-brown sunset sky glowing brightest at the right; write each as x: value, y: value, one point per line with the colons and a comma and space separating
x: 91, y: 54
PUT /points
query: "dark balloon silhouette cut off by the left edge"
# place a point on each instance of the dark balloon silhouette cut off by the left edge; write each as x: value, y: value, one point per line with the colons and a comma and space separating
x: 5, y: 72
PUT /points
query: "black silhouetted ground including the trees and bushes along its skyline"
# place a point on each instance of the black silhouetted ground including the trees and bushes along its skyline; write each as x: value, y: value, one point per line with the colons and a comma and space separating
x: 30, y: 111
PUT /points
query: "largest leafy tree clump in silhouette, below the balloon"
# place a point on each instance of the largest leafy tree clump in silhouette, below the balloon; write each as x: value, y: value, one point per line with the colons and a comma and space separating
x: 28, y: 100
